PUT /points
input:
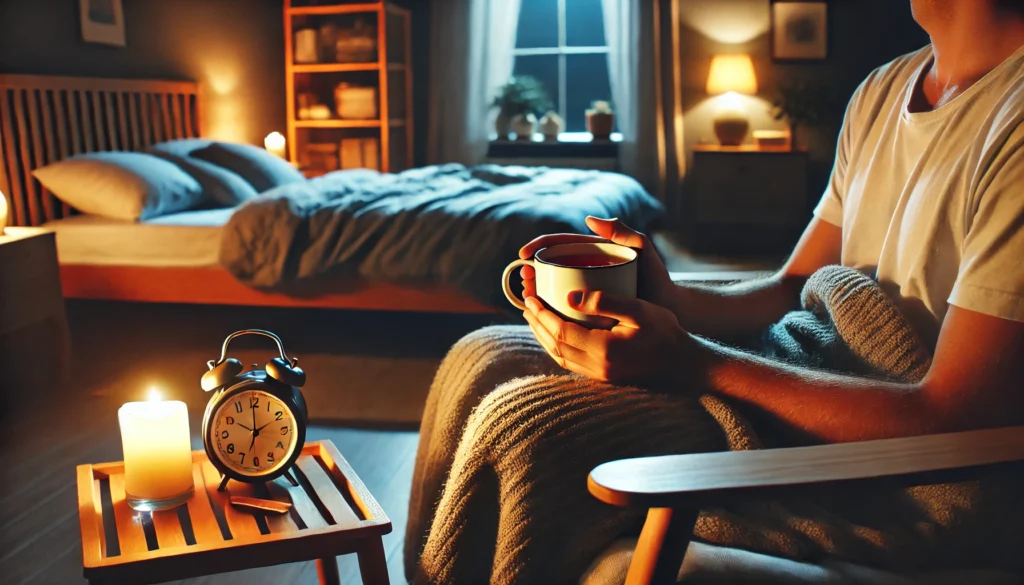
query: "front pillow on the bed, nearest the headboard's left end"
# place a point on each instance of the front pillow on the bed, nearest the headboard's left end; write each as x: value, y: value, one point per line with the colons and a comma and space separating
x: 125, y: 186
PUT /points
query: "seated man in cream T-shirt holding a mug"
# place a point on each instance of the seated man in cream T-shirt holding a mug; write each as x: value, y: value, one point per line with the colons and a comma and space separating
x: 926, y: 196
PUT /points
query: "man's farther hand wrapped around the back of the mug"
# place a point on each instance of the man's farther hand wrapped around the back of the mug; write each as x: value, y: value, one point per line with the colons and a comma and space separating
x: 655, y: 284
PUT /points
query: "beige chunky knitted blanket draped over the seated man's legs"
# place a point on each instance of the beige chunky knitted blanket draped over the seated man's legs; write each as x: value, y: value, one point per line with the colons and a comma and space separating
x: 507, y: 441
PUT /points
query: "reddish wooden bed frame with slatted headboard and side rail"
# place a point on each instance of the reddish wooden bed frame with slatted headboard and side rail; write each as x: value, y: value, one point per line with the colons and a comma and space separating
x: 45, y: 119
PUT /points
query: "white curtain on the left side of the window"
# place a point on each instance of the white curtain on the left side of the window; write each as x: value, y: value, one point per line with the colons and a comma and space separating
x: 473, y: 44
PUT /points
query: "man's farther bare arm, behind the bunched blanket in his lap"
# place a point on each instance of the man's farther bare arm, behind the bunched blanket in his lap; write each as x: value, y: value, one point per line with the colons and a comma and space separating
x: 743, y: 309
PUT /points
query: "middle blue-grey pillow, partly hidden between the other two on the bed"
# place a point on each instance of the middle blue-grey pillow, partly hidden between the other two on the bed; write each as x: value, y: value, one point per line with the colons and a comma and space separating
x: 222, y: 187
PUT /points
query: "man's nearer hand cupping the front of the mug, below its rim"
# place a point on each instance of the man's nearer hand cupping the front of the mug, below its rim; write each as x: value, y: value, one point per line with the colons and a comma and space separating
x: 647, y: 346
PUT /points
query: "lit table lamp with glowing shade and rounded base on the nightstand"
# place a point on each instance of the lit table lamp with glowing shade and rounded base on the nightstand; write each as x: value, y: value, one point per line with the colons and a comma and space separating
x: 731, y: 76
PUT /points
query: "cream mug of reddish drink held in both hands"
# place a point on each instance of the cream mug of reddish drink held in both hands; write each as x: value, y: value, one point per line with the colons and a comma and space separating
x: 586, y: 267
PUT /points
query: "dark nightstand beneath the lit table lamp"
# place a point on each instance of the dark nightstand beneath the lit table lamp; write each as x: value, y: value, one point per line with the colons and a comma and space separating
x: 748, y: 199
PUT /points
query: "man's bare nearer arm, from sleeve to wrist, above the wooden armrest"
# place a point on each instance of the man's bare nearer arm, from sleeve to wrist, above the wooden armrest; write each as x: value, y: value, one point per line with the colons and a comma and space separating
x: 976, y: 381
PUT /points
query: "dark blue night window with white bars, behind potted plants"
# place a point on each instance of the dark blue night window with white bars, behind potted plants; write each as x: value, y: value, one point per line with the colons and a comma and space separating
x: 562, y: 44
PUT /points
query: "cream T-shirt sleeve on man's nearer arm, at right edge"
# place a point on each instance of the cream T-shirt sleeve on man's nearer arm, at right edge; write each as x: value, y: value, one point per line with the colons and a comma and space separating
x: 992, y: 272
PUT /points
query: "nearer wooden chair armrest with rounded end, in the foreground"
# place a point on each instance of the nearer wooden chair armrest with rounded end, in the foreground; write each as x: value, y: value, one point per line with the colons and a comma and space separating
x: 699, y: 479
